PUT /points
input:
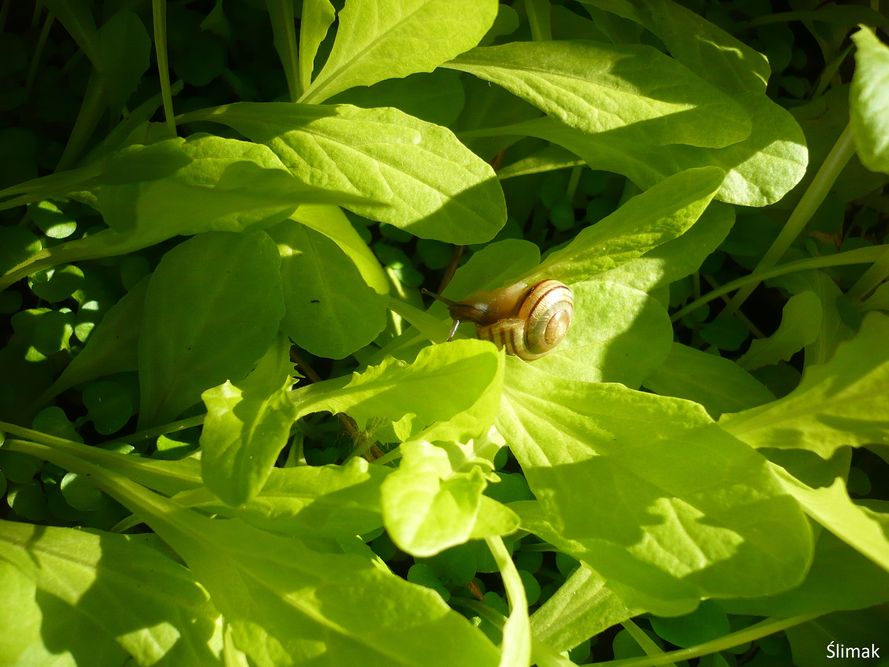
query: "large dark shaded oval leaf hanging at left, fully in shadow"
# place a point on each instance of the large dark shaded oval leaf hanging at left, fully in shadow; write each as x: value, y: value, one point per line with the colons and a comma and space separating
x: 193, y: 329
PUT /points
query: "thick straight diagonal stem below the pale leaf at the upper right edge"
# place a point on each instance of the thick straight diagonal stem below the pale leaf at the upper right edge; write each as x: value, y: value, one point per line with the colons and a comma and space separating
x: 808, y: 204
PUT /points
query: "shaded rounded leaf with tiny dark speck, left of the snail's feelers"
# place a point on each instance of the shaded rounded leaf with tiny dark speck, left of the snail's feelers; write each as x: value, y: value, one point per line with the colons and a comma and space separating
x: 330, y: 309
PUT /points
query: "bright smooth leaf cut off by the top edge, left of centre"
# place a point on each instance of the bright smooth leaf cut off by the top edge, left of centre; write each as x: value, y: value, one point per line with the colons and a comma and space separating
x: 385, y: 39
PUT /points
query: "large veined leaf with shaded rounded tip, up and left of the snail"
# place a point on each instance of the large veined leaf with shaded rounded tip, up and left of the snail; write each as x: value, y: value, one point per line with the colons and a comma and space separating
x: 421, y: 177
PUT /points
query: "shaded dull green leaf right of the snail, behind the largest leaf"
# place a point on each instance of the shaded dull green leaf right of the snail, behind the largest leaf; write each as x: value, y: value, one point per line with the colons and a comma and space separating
x: 719, y: 384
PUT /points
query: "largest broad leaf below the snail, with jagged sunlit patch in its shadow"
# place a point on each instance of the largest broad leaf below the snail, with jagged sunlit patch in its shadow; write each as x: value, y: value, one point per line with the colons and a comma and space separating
x: 673, y: 509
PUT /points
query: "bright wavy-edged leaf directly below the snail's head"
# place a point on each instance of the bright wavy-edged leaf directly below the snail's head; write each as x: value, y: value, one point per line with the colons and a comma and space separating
x: 457, y: 381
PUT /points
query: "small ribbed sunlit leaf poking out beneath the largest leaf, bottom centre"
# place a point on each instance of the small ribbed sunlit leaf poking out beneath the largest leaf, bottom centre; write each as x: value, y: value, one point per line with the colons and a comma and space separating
x: 581, y: 608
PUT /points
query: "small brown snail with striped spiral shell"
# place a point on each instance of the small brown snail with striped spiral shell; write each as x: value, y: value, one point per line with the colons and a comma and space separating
x: 527, y: 321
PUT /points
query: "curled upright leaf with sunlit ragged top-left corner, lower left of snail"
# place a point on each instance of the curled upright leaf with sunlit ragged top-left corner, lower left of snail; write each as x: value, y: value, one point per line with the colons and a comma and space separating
x: 247, y: 425
